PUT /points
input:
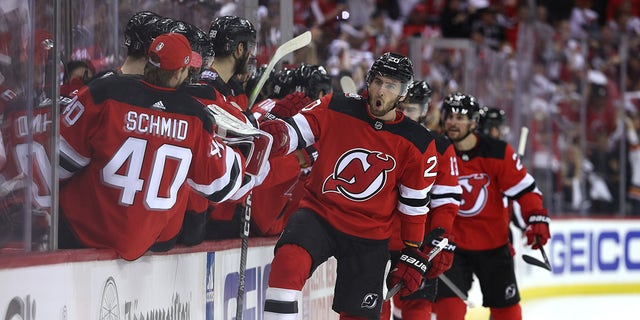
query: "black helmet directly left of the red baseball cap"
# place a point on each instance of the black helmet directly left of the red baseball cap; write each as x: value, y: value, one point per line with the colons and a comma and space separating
x: 140, y: 32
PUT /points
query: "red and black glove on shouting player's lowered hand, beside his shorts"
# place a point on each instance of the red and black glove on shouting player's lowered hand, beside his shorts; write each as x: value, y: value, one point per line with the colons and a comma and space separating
x: 409, y: 269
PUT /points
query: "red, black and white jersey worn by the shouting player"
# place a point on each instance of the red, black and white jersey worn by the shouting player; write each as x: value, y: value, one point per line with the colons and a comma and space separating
x: 366, y: 167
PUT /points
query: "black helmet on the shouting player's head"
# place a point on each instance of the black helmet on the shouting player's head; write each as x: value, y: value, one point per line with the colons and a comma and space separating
x: 392, y: 65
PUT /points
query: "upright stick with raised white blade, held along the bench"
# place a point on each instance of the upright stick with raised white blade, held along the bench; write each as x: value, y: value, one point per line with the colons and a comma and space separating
x: 283, y: 50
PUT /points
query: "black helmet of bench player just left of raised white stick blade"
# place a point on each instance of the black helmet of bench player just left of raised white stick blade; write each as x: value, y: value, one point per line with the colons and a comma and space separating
x: 228, y: 31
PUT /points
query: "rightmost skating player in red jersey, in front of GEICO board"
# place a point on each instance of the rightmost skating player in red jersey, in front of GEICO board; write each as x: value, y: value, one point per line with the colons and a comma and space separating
x: 489, y: 169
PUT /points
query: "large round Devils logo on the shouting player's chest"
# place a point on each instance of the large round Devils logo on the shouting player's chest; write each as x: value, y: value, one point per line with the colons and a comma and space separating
x: 359, y: 174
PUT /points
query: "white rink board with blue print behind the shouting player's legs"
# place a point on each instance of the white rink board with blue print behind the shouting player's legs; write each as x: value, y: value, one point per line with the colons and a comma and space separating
x: 222, y: 286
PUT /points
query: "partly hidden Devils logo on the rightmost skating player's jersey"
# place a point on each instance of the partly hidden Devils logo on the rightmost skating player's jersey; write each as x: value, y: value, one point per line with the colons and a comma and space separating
x: 474, y: 193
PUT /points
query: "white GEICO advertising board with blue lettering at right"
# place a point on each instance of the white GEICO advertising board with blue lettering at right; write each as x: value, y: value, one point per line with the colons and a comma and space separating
x: 587, y: 251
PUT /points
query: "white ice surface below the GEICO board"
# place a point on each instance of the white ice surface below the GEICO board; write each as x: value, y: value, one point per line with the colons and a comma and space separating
x: 587, y: 307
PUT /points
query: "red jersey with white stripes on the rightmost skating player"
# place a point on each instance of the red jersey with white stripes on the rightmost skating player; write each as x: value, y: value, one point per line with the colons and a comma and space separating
x: 488, y: 173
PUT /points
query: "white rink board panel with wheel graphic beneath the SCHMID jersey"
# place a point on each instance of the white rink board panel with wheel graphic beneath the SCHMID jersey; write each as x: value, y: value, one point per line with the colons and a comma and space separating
x: 152, y: 287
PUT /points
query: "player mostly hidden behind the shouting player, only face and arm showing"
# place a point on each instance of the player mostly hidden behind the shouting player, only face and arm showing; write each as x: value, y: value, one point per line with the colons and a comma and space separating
x: 445, y: 200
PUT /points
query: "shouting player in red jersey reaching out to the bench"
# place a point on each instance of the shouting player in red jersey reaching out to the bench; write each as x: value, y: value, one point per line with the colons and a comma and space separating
x: 375, y: 164
